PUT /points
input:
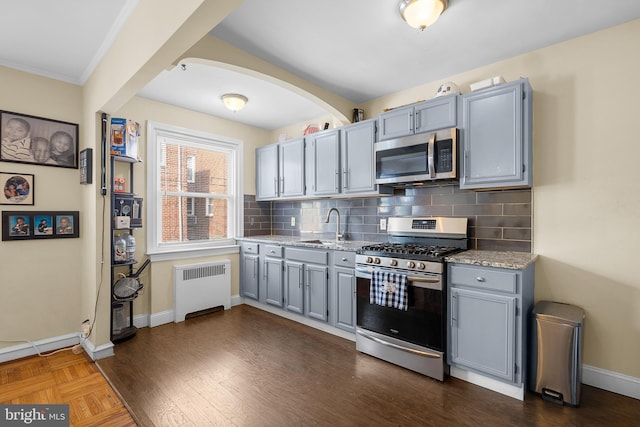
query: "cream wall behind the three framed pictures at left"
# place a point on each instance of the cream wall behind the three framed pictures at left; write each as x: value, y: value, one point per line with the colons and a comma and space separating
x: 40, y: 287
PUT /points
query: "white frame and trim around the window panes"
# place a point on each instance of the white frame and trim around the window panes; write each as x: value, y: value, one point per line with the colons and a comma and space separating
x: 158, y: 132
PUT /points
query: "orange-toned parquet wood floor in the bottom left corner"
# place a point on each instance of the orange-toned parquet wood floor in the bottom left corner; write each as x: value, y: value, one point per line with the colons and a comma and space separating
x: 64, y: 378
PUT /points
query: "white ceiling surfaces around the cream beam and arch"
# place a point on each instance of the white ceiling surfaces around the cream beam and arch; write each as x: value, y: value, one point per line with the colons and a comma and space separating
x: 359, y: 49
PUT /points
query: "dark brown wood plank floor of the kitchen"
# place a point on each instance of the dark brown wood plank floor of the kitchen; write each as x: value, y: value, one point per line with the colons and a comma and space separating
x: 247, y: 367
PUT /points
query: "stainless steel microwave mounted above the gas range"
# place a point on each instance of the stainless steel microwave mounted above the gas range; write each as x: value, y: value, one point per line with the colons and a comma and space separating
x: 427, y: 156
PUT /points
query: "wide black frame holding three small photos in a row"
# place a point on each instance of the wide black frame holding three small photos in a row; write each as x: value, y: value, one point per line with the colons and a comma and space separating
x: 34, y: 225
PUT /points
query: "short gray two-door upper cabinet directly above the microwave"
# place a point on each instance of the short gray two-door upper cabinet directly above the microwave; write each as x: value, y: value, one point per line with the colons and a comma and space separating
x: 437, y: 113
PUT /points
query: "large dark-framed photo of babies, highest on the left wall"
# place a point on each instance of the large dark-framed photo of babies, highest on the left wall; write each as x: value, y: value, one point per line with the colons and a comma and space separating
x: 36, y: 140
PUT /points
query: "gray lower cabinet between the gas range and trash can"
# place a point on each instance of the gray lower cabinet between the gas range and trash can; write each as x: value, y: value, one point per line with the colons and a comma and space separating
x: 488, y: 312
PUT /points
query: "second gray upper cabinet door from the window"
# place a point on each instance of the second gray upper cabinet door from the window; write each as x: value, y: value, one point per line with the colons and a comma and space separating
x: 292, y: 168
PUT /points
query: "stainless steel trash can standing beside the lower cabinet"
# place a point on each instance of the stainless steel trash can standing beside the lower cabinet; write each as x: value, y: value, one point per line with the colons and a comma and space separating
x: 556, y: 356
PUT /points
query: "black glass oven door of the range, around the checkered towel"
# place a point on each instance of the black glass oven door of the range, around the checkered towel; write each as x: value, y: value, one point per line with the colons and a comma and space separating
x: 421, y: 324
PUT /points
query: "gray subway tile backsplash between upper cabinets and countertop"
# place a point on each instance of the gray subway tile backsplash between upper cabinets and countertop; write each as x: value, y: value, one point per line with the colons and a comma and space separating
x: 498, y: 220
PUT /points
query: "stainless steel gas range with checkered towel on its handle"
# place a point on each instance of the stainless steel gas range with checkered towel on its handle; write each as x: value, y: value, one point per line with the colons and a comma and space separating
x: 402, y: 293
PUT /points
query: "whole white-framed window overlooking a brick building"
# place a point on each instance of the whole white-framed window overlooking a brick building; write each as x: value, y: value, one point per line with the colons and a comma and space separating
x: 194, y: 190
